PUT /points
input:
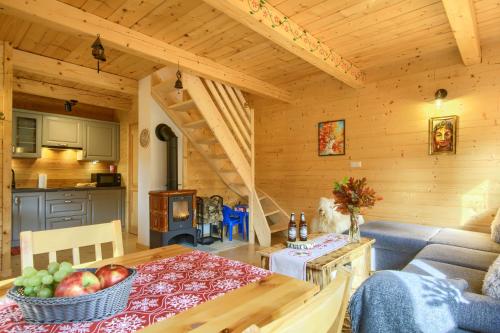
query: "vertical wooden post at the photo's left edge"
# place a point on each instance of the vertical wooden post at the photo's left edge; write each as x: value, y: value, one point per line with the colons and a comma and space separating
x: 6, y: 77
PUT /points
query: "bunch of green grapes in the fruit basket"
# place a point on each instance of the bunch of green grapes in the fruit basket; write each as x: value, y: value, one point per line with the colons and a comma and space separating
x: 33, y: 283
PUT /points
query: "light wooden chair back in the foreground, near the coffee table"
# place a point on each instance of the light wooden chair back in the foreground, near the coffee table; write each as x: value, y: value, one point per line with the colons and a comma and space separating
x: 325, y: 312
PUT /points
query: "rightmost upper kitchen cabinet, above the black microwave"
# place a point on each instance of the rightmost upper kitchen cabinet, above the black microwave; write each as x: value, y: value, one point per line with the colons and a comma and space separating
x: 101, y: 141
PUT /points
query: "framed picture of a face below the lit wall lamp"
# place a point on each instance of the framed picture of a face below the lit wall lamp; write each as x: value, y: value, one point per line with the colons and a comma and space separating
x: 443, y: 135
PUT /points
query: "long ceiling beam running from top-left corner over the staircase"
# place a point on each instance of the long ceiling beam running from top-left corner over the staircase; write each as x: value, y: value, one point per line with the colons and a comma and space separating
x: 69, y: 19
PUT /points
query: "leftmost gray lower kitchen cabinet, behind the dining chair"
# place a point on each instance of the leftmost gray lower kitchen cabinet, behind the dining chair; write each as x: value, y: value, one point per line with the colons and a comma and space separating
x: 28, y: 213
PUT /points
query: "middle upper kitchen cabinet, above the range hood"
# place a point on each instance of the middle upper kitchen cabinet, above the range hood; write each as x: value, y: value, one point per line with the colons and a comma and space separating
x: 64, y: 132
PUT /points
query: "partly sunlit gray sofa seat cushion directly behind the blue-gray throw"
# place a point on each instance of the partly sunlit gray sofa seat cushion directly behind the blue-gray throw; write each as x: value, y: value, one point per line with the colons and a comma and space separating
x: 474, y: 277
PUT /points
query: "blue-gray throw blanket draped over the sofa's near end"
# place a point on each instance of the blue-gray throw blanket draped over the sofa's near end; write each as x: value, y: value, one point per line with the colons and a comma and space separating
x: 392, y: 301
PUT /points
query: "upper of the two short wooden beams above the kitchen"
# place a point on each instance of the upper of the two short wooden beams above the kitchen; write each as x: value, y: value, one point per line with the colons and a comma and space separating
x: 53, y: 68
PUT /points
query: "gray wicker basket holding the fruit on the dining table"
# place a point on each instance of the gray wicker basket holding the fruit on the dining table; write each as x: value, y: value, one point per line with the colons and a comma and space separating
x: 100, y: 305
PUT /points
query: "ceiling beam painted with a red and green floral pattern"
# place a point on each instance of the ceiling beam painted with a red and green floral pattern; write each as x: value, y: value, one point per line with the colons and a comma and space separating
x: 272, y: 24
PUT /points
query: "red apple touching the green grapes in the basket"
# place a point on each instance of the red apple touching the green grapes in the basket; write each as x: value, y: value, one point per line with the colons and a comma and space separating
x: 77, y: 284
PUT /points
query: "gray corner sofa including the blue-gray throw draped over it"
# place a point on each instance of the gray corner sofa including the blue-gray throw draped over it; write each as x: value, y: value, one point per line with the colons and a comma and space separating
x: 431, y: 256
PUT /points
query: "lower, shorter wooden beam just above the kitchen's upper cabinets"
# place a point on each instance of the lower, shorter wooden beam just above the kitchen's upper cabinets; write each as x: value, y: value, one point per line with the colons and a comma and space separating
x: 45, y: 89
